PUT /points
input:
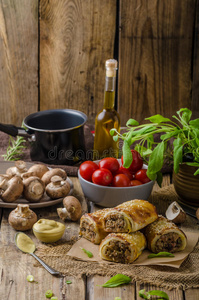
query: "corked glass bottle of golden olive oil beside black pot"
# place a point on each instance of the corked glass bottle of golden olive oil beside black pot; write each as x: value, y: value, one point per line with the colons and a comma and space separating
x: 107, y: 118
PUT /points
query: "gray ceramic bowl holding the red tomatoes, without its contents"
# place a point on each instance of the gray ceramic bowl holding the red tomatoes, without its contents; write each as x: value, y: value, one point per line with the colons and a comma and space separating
x: 112, y: 196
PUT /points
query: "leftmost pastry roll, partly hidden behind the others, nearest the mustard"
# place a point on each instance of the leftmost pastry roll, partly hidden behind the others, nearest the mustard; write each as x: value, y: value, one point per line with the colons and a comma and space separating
x: 92, y: 227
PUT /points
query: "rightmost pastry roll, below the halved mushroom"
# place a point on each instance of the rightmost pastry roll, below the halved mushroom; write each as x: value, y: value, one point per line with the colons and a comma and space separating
x: 164, y: 235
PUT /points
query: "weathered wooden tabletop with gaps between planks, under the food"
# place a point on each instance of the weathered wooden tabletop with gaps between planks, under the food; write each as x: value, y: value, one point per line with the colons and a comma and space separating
x: 15, y: 266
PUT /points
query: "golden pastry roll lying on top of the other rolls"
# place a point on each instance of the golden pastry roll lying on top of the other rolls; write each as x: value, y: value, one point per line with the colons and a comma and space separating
x: 130, y: 216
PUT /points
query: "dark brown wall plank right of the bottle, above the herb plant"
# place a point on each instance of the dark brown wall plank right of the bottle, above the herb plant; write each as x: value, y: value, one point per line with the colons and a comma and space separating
x: 155, y: 57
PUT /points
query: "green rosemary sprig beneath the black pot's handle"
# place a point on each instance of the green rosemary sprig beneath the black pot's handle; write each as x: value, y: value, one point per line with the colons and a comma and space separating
x: 15, y: 149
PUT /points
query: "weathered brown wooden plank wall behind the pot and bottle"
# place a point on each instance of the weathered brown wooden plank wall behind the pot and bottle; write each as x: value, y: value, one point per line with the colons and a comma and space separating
x: 57, y: 60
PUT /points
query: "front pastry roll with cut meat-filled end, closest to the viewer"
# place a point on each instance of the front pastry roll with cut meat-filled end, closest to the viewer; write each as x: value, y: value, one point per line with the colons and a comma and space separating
x: 122, y: 247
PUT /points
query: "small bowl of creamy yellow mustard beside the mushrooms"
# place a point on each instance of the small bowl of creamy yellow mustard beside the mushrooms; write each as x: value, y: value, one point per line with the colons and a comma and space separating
x: 48, y: 231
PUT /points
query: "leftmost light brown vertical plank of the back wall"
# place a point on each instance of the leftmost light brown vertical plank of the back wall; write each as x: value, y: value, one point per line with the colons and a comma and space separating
x: 19, y: 60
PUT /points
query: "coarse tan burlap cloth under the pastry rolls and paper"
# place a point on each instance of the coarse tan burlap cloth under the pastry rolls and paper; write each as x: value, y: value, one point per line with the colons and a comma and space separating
x: 187, y: 276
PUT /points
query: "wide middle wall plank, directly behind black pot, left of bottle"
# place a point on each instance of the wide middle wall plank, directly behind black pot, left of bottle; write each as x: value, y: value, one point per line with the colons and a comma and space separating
x: 76, y: 37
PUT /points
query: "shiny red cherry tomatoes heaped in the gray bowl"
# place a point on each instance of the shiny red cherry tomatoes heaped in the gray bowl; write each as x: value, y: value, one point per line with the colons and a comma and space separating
x: 109, y: 172
